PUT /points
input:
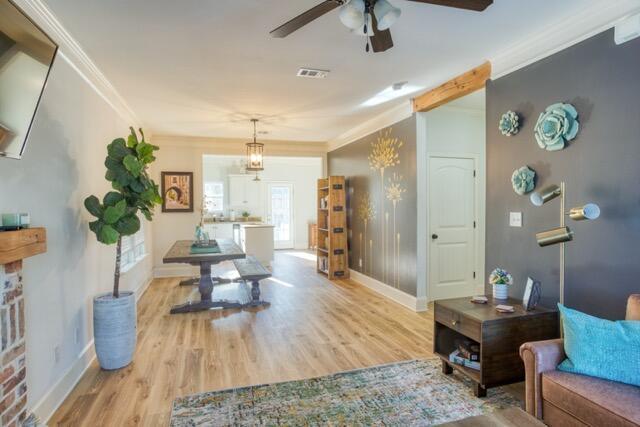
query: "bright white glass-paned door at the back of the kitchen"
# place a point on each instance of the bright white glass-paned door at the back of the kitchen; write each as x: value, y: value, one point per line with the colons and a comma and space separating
x: 280, y: 214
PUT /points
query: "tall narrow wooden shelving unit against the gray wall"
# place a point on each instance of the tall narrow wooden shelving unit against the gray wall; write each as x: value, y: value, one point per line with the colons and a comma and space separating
x: 332, y: 248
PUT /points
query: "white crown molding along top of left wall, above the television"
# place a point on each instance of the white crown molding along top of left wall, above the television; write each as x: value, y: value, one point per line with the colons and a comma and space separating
x: 71, y: 51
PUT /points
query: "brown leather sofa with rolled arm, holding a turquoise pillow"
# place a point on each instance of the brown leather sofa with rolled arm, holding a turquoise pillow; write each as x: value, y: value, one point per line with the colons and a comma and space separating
x: 564, y: 399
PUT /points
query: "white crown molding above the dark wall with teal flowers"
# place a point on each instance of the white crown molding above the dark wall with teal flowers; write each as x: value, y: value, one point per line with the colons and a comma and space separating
x: 595, y: 17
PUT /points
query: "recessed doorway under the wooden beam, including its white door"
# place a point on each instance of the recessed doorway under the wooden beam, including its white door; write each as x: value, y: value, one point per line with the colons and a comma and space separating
x: 451, y: 198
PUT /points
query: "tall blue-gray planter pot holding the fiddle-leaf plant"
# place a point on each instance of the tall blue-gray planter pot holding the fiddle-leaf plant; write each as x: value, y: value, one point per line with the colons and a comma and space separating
x: 114, y: 329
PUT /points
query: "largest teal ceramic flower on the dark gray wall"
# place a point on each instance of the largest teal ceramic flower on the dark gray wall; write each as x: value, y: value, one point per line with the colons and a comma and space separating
x: 557, y: 125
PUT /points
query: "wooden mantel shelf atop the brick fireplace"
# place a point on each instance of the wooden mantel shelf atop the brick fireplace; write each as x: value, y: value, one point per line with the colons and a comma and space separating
x: 21, y: 244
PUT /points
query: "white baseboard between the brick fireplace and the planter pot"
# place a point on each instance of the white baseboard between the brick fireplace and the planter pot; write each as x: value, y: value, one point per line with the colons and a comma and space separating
x: 52, y: 400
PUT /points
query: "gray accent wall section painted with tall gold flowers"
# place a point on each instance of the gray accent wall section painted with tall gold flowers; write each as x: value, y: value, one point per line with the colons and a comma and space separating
x: 371, y: 251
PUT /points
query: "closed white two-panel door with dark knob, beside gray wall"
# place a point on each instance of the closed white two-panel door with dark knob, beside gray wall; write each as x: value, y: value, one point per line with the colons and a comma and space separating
x: 452, y: 221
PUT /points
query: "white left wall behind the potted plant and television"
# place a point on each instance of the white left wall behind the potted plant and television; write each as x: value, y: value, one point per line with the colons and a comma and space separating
x: 62, y: 164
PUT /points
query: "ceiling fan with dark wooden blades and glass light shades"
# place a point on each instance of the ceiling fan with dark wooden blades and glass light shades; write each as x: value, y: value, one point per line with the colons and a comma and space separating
x: 370, y: 18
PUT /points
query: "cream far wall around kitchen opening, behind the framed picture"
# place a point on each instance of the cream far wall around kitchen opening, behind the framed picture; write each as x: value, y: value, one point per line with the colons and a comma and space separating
x: 185, y: 154
